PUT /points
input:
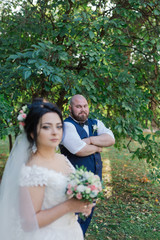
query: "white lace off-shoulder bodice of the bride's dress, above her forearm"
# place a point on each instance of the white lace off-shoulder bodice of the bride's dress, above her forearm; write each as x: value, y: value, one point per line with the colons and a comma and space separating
x: 55, y: 183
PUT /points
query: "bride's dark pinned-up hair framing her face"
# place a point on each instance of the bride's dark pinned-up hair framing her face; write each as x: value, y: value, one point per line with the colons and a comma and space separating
x: 36, y: 110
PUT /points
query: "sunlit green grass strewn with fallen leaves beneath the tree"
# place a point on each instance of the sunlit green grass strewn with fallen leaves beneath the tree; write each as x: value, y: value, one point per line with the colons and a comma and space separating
x: 131, y: 205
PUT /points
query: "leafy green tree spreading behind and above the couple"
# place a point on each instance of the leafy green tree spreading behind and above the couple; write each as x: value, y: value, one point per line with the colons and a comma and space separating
x: 110, y: 54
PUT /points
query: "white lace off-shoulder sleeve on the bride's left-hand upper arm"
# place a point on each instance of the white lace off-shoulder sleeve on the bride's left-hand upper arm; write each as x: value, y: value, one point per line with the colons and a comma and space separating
x: 33, y: 176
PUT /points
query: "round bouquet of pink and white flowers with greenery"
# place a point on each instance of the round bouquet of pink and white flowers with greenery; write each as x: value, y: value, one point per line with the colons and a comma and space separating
x: 84, y: 185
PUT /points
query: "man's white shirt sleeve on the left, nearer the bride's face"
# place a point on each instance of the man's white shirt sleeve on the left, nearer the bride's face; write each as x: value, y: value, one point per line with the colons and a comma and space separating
x: 71, y: 140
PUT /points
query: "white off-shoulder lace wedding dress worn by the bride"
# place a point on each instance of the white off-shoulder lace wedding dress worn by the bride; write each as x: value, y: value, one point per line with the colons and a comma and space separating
x: 66, y: 227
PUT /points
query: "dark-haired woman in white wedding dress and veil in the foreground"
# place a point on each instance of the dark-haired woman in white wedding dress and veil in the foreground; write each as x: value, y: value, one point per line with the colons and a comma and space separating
x: 33, y: 202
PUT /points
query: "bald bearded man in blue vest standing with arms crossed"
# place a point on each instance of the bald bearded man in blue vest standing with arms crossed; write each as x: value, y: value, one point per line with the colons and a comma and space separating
x: 83, y: 140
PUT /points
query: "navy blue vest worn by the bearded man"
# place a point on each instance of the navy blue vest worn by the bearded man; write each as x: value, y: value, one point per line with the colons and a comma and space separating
x: 92, y: 162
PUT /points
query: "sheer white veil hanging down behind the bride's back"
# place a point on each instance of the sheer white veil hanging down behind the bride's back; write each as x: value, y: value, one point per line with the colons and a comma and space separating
x: 17, y: 216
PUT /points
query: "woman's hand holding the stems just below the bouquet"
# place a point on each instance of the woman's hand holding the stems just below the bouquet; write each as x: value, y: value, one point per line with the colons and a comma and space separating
x: 84, y: 207
